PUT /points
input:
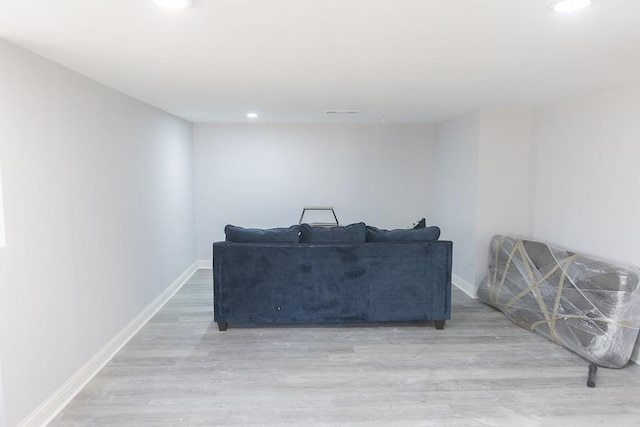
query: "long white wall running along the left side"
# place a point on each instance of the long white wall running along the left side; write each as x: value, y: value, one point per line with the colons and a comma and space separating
x: 99, y: 213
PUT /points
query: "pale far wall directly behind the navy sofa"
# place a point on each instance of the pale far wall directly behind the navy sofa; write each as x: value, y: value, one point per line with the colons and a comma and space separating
x: 262, y: 175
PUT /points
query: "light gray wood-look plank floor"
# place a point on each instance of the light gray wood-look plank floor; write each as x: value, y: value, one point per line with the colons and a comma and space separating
x: 481, y: 370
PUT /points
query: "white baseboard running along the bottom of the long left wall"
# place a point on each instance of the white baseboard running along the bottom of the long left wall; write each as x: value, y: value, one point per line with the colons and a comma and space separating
x: 61, y: 397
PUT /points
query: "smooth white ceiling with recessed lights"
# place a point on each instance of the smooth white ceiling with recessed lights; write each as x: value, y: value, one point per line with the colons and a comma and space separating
x: 419, y: 61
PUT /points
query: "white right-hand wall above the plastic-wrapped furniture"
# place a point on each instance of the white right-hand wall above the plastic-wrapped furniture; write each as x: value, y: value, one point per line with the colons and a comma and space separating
x: 587, y: 188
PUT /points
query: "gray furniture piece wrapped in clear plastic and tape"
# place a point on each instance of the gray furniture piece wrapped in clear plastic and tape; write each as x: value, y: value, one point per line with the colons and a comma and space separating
x: 588, y: 305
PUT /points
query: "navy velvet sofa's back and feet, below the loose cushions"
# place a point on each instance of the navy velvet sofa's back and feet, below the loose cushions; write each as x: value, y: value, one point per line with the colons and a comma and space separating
x: 268, y: 283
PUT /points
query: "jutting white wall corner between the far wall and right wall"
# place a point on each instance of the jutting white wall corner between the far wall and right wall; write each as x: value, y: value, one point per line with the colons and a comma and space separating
x: 482, y: 183
